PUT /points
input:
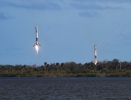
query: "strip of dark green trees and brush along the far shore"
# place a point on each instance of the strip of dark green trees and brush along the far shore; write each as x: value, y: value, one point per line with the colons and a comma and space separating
x: 105, y: 68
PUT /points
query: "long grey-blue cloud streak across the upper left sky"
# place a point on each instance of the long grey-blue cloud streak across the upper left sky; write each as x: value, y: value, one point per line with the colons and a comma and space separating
x: 34, y: 6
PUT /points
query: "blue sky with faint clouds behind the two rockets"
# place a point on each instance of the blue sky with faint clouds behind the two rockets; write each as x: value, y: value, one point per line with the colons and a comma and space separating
x: 68, y: 30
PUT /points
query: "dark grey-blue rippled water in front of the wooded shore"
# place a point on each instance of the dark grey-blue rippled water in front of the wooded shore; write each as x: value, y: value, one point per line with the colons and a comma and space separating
x: 65, y: 88
